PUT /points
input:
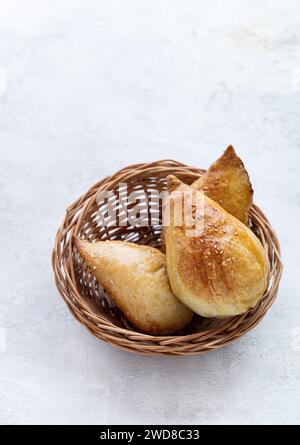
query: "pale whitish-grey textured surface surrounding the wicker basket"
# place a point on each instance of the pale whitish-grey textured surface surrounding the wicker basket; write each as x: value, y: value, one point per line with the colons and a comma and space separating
x: 87, y: 87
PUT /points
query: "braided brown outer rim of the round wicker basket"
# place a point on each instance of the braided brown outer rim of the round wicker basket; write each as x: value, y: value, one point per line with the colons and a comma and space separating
x: 129, y: 339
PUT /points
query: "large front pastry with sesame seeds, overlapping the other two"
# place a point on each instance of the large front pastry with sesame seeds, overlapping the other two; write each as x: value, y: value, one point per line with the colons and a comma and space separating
x: 222, y: 269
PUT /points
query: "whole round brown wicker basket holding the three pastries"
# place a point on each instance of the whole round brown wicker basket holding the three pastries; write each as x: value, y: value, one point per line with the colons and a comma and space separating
x: 89, y: 302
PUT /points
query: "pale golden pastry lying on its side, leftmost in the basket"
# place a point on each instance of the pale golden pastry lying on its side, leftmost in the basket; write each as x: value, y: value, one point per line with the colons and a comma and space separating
x: 136, y: 279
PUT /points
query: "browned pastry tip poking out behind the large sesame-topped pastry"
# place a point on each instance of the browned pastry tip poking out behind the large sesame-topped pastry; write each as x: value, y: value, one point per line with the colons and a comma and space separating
x: 227, y: 183
